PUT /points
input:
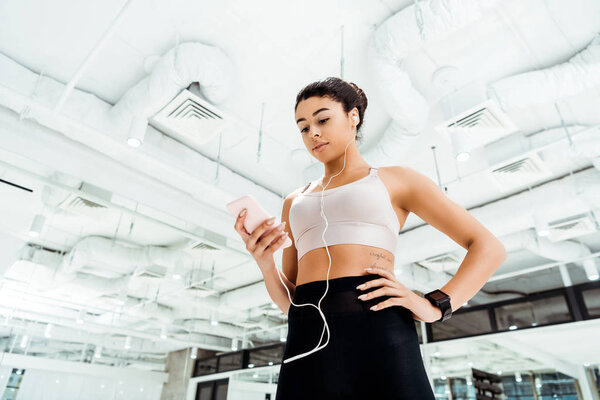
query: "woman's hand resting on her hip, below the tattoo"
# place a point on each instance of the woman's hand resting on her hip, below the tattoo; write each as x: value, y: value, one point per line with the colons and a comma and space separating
x: 421, y: 308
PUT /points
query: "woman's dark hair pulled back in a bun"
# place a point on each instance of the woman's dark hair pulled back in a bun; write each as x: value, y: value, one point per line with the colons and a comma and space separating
x: 346, y: 93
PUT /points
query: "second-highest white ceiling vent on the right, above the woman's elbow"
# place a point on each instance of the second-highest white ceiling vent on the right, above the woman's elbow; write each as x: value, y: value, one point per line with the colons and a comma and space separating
x: 520, y: 172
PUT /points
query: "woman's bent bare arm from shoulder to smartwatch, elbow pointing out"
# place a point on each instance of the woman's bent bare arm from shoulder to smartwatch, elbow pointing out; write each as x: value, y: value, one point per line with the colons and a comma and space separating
x: 485, y: 253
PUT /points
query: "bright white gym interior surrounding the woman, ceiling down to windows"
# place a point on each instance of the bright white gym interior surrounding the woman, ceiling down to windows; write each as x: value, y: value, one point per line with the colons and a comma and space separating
x: 127, y: 125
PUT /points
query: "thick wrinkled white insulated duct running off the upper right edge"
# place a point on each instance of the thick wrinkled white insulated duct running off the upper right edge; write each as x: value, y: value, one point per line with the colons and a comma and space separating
x: 548, y: 86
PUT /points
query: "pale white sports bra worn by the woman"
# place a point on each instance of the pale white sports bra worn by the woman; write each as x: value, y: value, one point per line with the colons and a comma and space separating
x: 358, y: 212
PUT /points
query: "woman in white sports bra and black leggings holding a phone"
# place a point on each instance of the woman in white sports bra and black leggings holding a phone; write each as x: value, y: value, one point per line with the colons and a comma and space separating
x: 373, y: 352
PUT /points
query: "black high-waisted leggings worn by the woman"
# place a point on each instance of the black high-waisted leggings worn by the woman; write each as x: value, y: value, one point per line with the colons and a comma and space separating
x: 370, y: 354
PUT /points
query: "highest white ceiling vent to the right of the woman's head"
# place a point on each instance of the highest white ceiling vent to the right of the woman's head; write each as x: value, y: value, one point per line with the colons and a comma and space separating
x: 486, y: 118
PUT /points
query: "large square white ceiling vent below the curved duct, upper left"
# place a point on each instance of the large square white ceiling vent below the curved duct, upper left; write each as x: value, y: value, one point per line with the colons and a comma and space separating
x: 189, y: 118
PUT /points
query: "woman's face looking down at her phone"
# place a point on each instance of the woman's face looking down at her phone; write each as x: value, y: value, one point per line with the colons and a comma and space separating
x: 321, y: 119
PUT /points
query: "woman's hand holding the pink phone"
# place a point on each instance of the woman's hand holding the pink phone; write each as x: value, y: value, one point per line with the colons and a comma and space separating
x: 262, y: 249
